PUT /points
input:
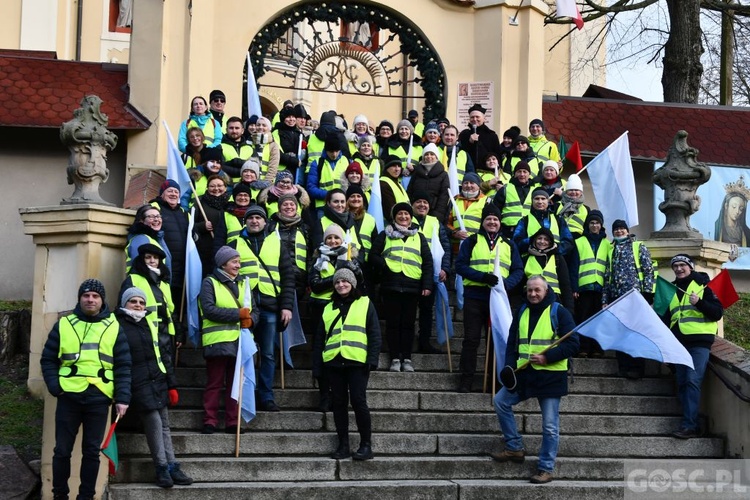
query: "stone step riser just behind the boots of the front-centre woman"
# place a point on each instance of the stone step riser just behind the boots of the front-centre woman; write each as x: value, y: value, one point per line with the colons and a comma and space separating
x: 427, y: 444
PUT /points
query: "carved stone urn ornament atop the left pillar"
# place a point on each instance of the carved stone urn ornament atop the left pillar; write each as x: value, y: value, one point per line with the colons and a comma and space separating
x: 88, y: 140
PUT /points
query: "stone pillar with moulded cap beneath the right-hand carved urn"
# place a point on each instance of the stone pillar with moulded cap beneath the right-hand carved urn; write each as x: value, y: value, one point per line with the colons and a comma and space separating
x: 707, y: 255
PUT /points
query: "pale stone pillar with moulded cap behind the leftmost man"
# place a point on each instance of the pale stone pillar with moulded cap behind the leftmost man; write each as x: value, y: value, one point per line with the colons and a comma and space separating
x: 73, y: 242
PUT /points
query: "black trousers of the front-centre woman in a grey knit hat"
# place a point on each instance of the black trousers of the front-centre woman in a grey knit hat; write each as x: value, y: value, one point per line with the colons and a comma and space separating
x: 350, y: 383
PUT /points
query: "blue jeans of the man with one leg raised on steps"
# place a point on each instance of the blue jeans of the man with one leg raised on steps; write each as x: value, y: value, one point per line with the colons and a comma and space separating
x: 504, y: 401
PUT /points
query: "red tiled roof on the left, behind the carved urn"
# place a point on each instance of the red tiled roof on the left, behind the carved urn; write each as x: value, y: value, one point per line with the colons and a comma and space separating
x: 38, y: 90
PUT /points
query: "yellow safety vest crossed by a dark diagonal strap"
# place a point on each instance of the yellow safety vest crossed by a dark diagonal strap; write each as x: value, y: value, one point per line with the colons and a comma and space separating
x: 270, y: 250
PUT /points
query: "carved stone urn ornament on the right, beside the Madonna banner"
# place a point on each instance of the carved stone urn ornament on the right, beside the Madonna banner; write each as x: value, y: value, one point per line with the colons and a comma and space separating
x: 680, y: 177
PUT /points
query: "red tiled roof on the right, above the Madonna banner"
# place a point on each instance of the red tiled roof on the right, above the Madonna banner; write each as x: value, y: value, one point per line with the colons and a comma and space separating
x: 715, y: 130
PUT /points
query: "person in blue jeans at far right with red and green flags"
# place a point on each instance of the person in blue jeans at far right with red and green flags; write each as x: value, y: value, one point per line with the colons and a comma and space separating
x: 693, y: 317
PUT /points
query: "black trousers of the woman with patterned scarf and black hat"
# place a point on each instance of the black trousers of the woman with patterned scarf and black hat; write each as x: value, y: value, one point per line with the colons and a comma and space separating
x: 400, y: 311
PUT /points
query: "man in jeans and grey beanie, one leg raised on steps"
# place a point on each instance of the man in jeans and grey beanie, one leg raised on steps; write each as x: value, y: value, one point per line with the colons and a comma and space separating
x: 536, y: 325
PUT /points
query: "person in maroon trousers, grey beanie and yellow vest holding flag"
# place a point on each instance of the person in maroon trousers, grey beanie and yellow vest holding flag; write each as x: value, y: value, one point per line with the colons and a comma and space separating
x: 223, y: 313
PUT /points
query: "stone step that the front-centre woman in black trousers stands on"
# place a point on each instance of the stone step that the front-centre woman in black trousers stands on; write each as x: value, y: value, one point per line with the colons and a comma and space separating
x: 221, y: 469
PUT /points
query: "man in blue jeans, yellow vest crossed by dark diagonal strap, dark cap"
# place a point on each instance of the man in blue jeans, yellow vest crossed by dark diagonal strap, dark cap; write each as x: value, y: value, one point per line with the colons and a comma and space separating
x: 271, y: 272
